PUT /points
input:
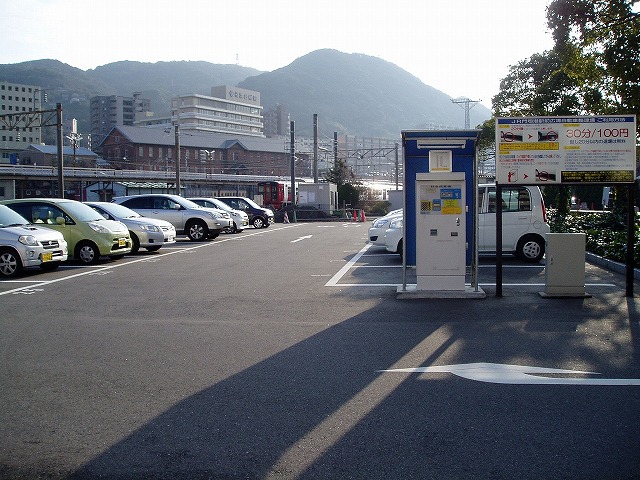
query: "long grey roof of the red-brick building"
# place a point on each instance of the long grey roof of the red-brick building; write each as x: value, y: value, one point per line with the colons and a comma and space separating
x: 201, y: 140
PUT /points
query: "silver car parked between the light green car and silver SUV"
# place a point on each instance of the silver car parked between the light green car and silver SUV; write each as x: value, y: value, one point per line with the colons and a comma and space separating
x: 148, y: 233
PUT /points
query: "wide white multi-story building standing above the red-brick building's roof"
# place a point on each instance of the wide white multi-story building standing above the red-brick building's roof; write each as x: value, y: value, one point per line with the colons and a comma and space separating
x: 229, y: 110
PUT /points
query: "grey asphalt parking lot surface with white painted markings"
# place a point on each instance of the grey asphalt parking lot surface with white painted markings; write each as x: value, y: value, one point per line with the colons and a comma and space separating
x: 284, y: 353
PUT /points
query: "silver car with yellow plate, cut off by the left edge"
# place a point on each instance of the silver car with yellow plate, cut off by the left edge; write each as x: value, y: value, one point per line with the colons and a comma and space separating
x: 25, y: 245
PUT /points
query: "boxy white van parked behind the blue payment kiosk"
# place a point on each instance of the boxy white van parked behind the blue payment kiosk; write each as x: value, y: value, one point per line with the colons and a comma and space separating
x: 524, y: 223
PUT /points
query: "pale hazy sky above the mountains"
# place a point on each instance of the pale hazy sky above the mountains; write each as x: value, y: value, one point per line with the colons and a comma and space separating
x: 462, y: 48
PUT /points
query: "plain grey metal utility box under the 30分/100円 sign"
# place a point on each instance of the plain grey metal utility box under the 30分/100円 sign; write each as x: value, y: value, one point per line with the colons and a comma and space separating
x: 565, y: 270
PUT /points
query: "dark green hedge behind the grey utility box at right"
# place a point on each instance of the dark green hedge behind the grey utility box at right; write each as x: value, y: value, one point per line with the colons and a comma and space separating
x: 606, y: 232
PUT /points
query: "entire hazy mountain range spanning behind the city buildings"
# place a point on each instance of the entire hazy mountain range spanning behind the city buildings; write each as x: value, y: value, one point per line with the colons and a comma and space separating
x: 351, y: 93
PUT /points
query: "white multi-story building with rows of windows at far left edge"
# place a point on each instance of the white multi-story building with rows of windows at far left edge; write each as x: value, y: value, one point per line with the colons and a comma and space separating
x: 17, y: 133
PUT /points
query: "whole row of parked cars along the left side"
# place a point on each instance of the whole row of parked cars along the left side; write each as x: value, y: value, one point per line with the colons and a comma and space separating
x: 45, y: 232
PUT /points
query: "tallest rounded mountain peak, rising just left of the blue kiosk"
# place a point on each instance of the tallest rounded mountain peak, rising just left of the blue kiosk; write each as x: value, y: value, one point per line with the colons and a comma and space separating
x: 358, y: 95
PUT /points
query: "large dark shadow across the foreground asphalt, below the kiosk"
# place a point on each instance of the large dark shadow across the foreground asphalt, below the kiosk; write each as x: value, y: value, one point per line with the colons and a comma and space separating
x: 323, y: 409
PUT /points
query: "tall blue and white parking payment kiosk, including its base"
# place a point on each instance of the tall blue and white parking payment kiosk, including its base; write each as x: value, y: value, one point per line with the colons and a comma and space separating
x: 440, y: 220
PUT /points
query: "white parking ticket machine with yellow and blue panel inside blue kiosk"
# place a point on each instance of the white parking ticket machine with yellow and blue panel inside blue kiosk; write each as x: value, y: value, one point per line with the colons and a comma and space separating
x: 440, y: 231
